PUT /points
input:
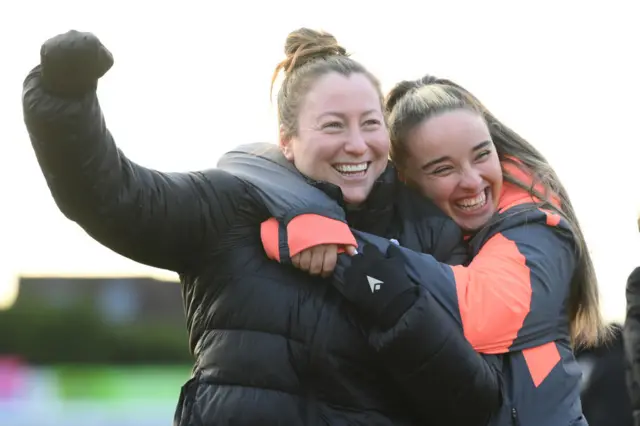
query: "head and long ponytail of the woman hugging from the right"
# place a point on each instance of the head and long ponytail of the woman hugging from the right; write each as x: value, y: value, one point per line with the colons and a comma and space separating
x: 469, y: 154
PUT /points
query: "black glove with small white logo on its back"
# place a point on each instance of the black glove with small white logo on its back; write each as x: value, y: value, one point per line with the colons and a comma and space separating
x: 378, y: 285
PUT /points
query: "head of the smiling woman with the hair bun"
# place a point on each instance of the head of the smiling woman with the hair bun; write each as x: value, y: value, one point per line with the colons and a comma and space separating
x: 336, y: 133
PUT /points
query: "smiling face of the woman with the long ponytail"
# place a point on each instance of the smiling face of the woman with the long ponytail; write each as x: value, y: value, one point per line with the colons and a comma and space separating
x: 453, y: 161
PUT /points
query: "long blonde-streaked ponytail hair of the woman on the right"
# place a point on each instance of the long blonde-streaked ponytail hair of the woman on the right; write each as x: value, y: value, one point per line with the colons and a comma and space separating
x: 411, y: 102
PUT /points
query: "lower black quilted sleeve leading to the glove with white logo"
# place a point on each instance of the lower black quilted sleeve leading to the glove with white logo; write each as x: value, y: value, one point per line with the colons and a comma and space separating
x: 423, y: 349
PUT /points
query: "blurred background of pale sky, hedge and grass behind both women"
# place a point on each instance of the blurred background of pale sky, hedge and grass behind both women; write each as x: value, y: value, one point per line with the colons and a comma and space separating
x: 90, y: 338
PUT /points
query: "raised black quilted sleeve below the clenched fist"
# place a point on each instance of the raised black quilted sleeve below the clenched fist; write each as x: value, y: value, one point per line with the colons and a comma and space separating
x: 159, y: 219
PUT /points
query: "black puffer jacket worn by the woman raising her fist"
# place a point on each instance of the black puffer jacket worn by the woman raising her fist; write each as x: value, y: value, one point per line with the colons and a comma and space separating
x: 272, y: 345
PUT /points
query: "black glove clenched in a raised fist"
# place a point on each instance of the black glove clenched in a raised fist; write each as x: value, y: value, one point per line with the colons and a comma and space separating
x: 71, y: 63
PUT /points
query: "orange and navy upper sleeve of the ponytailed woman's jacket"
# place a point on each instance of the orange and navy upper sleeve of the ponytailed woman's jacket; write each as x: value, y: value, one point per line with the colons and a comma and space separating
x: 511, y: 296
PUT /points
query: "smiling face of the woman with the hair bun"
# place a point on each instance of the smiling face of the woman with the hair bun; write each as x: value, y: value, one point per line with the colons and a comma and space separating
x: 341, y: 136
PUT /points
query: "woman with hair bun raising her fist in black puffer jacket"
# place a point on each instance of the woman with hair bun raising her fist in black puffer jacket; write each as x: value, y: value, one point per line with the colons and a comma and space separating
x: 273, y: 345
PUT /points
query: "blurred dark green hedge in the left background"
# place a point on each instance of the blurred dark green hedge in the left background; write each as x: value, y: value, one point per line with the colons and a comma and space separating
x: 46, y: 333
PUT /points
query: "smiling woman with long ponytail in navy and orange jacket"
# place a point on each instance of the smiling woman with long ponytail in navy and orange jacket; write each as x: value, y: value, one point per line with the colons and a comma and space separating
x: 528, y: 291
